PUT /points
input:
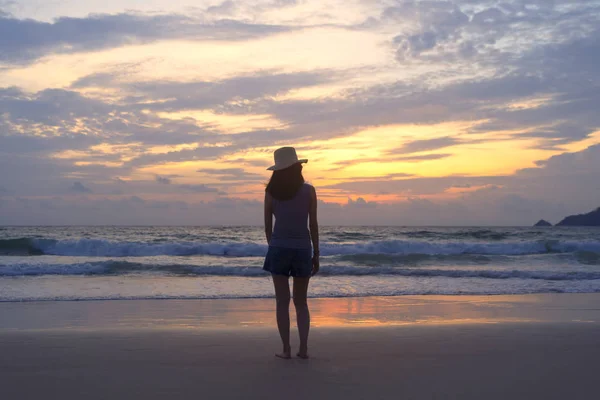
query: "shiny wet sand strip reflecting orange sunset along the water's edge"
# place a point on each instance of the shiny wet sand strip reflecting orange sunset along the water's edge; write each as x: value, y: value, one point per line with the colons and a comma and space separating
x: 331, y: 313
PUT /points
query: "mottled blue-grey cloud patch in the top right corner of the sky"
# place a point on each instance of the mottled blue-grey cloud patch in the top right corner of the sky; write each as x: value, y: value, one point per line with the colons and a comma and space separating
x: 467, y: 31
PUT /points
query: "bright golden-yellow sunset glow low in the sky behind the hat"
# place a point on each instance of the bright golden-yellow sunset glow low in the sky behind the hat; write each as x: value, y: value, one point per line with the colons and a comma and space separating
x: 469, y: 159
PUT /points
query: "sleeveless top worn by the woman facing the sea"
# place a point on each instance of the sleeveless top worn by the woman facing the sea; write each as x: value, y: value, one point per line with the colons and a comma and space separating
x: 291, y: 221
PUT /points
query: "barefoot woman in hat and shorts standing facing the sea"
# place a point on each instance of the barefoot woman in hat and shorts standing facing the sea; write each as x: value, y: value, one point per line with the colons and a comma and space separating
x: 293, y: 203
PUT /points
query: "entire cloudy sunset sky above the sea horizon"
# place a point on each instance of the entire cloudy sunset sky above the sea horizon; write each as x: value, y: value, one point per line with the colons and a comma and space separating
x: 155, y: 112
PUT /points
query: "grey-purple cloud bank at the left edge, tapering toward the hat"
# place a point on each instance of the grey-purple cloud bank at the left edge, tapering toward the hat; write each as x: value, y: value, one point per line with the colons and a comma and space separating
x: 44, y: 122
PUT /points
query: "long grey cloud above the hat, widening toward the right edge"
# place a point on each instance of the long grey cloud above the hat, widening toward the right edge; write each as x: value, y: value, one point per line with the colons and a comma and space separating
x: 566, y: 114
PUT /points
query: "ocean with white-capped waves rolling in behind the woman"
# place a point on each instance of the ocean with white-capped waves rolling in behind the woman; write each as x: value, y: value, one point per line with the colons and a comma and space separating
x: 87, y: 263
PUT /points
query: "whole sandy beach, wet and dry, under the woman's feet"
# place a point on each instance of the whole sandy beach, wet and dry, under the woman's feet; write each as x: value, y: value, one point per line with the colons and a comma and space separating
x: 414, y: 347
